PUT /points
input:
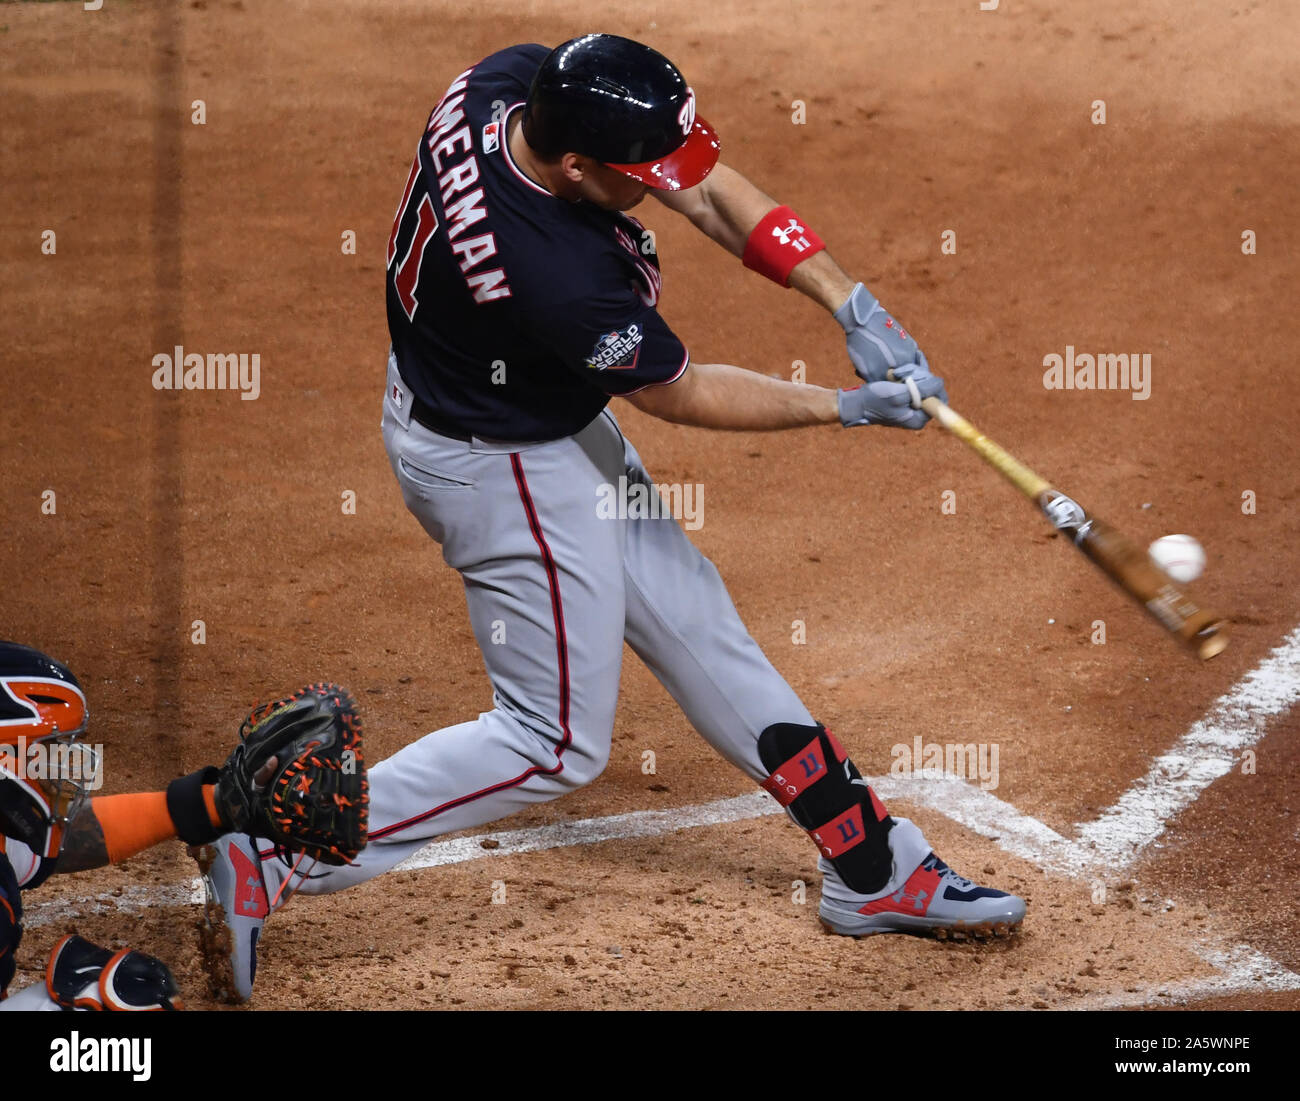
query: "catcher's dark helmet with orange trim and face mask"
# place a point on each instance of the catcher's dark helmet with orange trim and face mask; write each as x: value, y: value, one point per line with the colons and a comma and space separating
x: 44, y: 705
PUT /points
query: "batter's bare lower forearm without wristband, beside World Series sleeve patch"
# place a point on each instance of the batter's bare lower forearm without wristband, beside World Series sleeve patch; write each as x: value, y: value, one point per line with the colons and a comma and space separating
x: 725, y: 397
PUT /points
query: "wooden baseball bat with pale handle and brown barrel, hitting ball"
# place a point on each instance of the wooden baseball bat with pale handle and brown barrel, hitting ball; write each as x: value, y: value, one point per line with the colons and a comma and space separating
x: 1112, y: 552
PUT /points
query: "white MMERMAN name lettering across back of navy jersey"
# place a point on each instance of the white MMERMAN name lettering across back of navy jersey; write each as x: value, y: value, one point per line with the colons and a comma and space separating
x: 452, y: 150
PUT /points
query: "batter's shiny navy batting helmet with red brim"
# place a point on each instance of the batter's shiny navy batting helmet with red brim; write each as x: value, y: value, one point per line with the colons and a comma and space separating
x: 625, y: 105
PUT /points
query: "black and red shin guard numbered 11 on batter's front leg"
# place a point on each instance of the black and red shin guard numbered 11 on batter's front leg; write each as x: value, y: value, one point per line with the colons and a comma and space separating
x: 813, y: 778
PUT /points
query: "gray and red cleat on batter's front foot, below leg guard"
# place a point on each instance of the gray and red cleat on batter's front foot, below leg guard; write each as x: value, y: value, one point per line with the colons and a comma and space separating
x: 930, y: 899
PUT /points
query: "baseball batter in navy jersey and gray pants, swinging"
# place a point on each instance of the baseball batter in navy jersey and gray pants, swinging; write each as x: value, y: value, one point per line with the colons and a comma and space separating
x: 522, y: 298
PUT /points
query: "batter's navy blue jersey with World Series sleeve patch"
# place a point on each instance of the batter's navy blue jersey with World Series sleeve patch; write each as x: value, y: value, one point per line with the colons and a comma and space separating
x: 515, y: 315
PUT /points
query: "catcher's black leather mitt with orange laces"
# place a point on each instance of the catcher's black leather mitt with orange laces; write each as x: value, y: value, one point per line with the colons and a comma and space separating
x: 318, y: 797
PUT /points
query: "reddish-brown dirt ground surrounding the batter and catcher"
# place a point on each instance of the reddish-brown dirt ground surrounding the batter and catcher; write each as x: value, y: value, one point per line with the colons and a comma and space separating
x: 959, y: 627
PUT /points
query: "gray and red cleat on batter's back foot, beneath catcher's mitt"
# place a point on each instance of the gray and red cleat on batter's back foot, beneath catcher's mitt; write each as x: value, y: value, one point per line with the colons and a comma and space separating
x: 235, y: 911
